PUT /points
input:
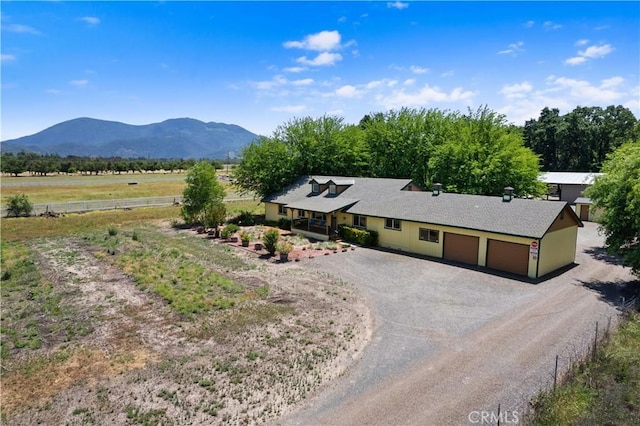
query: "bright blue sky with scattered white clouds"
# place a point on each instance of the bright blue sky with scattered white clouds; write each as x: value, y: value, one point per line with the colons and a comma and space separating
x: 260, y: 64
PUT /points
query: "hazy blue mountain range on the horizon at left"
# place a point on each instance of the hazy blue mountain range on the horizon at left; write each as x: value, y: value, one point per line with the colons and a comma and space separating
x: 173, y: 138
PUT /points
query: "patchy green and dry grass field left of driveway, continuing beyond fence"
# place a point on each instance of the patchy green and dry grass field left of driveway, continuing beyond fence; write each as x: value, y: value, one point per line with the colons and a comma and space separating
x: 123, y: 316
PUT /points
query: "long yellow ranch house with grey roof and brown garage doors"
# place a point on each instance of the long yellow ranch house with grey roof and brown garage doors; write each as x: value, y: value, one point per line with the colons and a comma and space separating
x: 521, y: 236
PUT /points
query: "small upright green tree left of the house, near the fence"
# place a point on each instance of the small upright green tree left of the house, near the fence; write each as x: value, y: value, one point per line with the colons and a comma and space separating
x: 202, y: 192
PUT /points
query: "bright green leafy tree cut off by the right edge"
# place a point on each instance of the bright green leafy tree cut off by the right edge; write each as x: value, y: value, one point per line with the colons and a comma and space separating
x: 617, y: 195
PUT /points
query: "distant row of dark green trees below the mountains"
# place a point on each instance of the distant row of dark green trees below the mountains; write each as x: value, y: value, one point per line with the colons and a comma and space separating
x: 28, y: 162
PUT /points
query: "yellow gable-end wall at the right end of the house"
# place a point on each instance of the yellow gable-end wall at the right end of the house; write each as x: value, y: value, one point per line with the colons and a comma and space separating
x: 557, y: 249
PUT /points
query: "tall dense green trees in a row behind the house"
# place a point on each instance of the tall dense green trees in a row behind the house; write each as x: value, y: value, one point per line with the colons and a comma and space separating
x: 476, y: 152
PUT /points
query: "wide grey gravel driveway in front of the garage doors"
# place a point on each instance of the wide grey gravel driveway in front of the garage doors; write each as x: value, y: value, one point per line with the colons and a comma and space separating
x: 451, y: 343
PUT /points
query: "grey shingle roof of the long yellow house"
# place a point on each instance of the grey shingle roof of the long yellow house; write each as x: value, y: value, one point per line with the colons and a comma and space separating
x: 385, y: 198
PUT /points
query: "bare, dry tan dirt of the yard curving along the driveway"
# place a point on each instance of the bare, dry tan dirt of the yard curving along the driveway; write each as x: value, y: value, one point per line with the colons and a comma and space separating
x: 141, y: 363
